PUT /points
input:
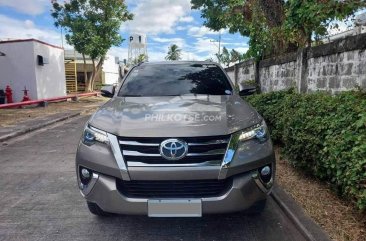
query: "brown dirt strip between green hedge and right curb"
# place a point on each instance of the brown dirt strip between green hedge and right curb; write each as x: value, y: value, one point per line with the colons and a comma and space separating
x: 338, y: 217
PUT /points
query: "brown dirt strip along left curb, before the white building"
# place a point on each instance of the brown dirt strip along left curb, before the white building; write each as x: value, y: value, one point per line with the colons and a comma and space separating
x: 85, y: 104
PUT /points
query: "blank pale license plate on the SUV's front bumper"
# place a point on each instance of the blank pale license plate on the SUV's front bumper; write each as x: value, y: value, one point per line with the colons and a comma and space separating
x: 175, y: 208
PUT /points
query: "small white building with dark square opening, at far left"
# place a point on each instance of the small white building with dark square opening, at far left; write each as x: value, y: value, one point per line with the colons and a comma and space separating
x: 34, y: 65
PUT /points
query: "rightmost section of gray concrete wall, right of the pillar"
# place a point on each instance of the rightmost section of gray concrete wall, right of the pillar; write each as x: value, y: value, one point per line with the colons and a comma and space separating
x: 337, y: 67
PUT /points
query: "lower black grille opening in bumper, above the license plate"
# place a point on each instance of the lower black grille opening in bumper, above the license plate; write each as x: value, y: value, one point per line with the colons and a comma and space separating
x: 174, y: 189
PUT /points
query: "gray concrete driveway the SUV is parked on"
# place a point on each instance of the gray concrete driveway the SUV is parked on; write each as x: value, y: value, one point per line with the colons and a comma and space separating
x: 40, y: 201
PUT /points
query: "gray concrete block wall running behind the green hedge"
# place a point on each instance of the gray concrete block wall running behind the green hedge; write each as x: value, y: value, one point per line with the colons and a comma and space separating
x: 333, y: 67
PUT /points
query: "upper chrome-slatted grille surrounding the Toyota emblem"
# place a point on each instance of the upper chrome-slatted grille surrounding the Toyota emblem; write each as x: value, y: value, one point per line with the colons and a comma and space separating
x: 200, y: 149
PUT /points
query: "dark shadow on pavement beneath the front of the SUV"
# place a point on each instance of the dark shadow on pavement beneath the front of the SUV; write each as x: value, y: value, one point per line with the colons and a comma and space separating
x: 269, y: 225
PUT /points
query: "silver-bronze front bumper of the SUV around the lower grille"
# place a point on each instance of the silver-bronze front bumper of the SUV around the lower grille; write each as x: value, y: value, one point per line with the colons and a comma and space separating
x: 107, y: 164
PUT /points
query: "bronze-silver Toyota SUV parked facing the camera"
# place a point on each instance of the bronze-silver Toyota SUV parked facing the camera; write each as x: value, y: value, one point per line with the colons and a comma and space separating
x: 175, y: 140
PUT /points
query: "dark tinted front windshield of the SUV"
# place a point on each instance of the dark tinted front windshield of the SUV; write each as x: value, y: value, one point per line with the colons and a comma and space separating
x: 175, y: 79
